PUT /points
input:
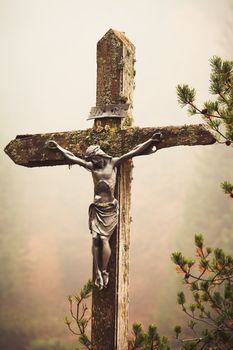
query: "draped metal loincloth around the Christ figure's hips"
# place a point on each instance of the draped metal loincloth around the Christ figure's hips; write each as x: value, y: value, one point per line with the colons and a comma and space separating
x: 103, y: 218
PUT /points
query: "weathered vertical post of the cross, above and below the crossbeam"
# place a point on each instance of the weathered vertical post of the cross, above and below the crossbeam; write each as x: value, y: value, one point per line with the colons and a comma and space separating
x: 115, y: 75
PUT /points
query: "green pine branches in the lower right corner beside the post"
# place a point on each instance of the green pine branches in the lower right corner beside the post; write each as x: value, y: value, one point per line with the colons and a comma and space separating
x: 209, y: 279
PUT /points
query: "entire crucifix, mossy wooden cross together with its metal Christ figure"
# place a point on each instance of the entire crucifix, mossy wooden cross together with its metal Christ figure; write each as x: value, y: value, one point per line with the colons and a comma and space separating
x: 106, y: 150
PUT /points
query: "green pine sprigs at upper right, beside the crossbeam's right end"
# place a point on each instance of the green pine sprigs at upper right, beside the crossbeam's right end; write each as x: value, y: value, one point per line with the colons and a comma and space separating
x: 217, y: 113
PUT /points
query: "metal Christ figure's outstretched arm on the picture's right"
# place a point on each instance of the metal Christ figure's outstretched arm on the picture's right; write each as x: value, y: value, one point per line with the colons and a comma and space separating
x: 146, y: 147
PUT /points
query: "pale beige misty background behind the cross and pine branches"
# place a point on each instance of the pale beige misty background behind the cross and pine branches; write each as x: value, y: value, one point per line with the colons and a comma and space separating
x: 47, y: 84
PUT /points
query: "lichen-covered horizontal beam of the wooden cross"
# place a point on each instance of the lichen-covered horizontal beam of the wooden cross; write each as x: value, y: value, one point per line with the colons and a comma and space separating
x: 31, y: 150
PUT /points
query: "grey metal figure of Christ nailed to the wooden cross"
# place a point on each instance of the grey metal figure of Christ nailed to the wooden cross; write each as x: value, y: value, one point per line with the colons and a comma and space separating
x: 103, y: 212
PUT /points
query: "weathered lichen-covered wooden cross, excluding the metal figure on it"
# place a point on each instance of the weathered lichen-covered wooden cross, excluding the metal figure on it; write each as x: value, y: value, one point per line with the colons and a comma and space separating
x: 116, y: 136
